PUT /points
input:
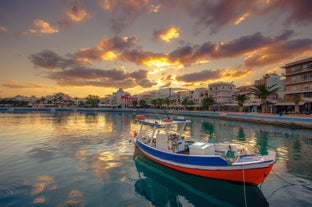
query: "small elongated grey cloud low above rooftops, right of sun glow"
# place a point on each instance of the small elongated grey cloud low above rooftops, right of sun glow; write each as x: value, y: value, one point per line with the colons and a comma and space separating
x: 202, y: 76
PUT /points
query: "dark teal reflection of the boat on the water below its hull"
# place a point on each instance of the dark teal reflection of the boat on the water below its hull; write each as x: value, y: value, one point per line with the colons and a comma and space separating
x: 166, y: 187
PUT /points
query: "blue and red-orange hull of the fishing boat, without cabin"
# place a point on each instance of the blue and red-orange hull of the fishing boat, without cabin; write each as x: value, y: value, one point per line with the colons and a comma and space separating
x: 253, y: 173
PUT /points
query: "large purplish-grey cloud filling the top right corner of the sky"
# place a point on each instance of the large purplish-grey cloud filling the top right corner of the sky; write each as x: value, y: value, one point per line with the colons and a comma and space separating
x: 214, y: 15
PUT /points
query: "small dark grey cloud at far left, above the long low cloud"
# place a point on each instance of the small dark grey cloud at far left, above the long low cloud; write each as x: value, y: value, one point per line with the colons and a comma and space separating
x: 51, y: 60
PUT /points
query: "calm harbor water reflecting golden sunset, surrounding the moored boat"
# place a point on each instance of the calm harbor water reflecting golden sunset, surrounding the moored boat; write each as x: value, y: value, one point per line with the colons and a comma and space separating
x: 89, y: 159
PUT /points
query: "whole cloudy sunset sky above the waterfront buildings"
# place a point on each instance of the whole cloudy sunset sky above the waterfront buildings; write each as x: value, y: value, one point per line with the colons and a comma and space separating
x: 95, y: 47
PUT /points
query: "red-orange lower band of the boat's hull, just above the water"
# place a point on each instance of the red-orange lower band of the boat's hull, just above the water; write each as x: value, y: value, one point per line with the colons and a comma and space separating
x: 250, y: 176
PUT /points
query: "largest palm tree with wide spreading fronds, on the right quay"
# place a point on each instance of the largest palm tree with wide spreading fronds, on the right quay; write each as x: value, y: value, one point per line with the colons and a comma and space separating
x: 263, y: 92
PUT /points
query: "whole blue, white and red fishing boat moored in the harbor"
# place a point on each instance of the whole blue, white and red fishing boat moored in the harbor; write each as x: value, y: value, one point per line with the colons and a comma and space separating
x: 167, y: 146
